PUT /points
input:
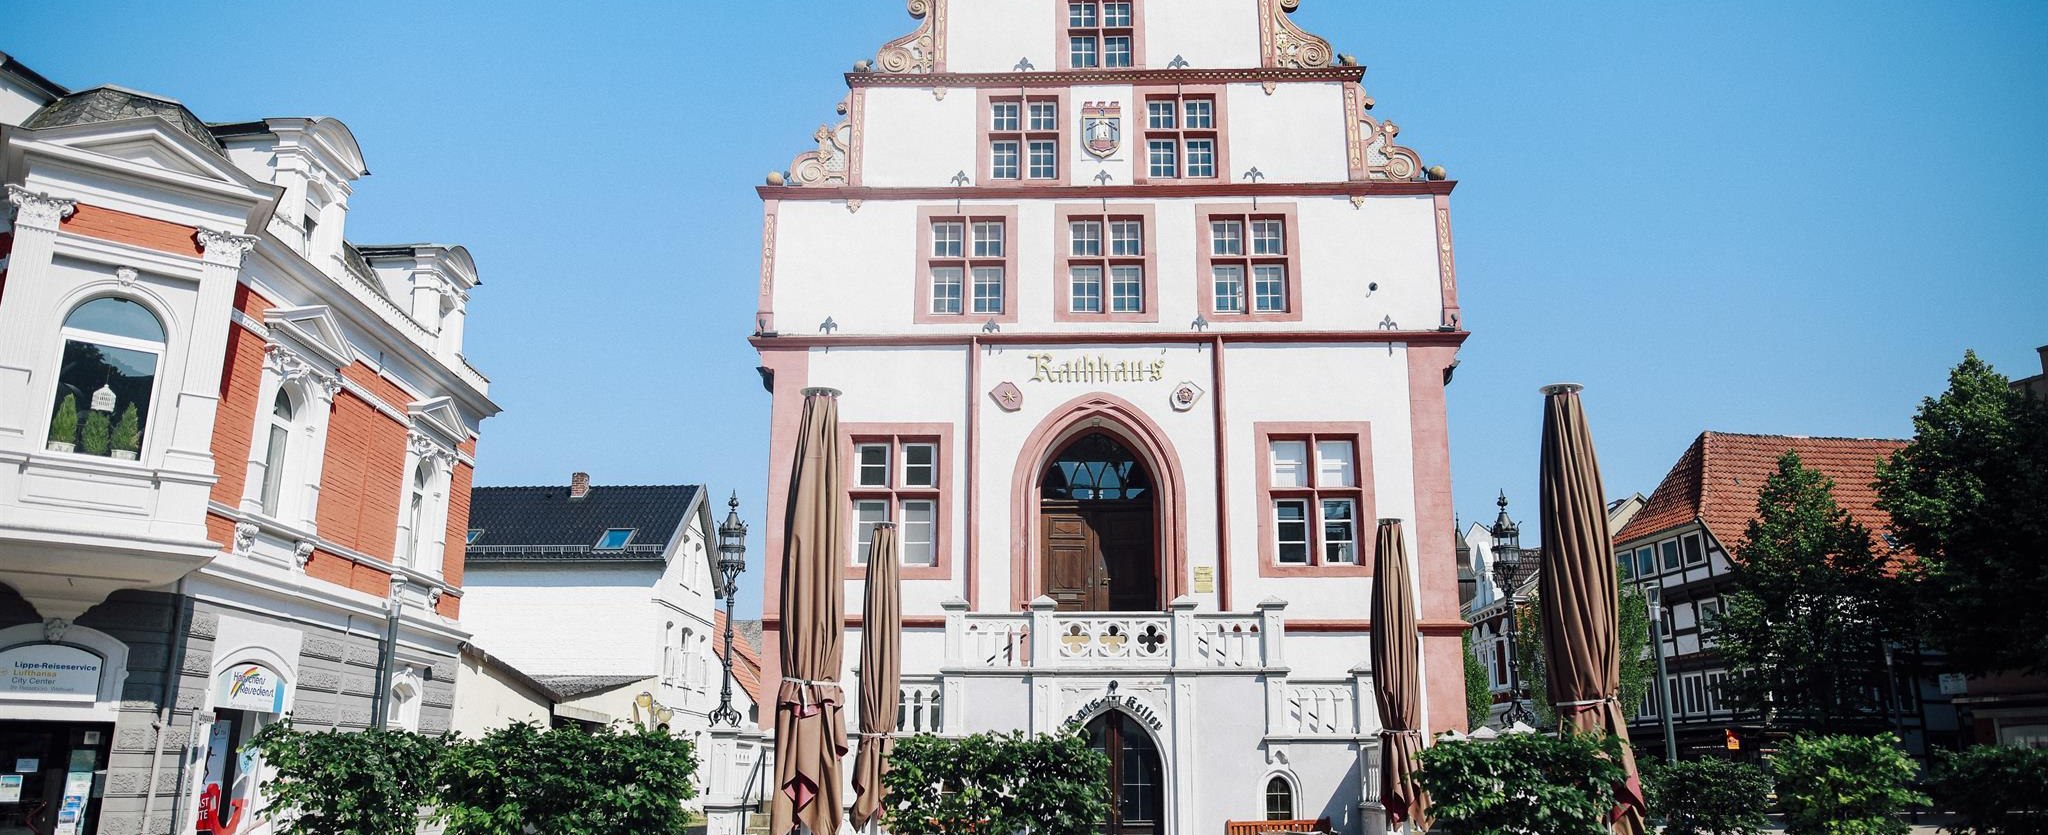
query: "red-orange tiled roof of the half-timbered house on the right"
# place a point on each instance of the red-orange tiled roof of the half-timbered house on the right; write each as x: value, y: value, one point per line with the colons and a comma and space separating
x: 1721, y: 476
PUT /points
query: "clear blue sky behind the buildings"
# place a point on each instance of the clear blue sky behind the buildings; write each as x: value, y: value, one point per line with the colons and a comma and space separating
x: 1717, y: 216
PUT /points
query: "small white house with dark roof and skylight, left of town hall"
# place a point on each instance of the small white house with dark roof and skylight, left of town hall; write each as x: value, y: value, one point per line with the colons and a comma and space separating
x: 605, y: 597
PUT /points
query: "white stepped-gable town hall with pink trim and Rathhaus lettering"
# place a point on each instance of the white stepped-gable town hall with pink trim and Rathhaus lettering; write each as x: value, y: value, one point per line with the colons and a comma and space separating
x: 1142, y: 322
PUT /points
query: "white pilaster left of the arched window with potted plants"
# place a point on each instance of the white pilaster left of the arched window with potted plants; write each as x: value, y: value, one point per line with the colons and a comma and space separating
x: 38, y: 218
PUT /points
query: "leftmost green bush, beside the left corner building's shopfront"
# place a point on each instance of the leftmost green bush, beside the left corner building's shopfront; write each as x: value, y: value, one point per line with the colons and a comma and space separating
x: 372, y: 783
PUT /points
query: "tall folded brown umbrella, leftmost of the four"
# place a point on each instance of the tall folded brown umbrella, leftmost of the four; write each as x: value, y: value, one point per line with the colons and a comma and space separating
x: 810, y: 736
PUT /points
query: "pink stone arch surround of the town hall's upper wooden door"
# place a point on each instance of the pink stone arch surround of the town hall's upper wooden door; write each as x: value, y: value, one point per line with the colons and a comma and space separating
x: 1144, y: 437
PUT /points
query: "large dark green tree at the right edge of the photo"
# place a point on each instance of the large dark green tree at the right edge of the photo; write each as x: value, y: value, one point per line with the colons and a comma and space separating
x: 1967, y: 498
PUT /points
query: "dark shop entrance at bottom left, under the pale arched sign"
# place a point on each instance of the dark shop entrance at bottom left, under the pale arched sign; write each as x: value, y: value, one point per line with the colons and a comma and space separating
x: 52, y: 777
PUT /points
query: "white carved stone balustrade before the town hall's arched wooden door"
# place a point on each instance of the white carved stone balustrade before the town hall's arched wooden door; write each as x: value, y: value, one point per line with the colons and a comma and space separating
x: 1179, y: 638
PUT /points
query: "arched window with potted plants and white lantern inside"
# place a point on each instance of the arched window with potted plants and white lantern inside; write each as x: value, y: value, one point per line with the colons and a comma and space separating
x: 114, y: 349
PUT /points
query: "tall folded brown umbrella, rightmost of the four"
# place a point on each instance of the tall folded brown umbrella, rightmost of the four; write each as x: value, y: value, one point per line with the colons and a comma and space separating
x: 1578, y: 590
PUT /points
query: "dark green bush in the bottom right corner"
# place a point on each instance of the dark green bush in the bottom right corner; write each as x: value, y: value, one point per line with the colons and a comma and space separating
x: 1998, y: 791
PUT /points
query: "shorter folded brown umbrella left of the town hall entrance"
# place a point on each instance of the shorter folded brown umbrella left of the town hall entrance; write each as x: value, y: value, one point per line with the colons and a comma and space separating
x: 882, y: 674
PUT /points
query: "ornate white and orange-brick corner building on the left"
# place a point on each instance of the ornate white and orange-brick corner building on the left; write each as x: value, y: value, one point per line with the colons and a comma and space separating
x: 232, y: 451
